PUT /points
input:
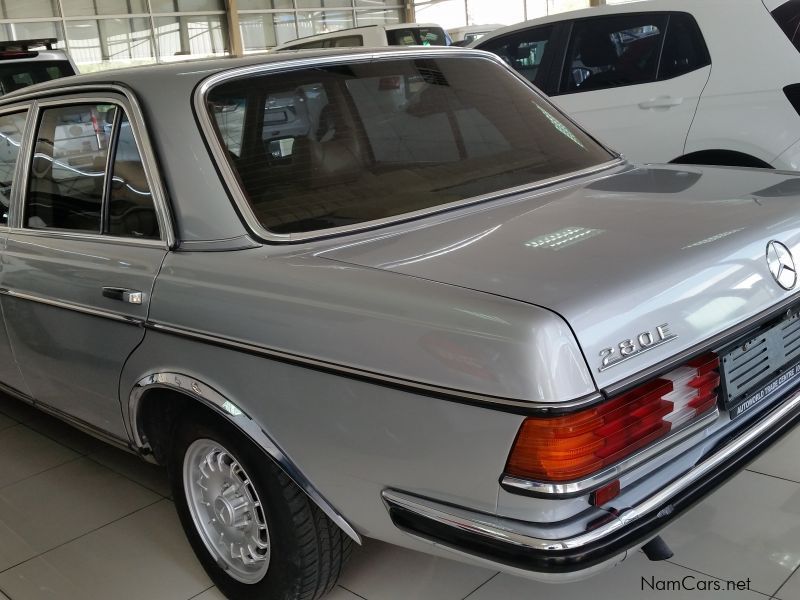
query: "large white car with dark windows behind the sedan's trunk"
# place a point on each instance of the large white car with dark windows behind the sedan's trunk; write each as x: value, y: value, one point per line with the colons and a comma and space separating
x: 711, y: 82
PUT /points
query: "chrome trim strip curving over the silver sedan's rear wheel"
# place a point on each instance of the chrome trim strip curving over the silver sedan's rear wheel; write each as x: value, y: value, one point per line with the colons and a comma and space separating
x: 208, y: 396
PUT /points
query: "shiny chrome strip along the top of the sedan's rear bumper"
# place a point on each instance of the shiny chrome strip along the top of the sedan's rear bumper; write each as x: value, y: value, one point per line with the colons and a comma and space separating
x: 502, y: 529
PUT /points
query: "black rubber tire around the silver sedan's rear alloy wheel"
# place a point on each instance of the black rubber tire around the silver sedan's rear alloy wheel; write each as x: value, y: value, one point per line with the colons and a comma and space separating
x: 308, y: 551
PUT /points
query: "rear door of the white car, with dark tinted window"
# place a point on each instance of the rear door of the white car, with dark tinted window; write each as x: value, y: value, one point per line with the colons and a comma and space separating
x: 634, y: 81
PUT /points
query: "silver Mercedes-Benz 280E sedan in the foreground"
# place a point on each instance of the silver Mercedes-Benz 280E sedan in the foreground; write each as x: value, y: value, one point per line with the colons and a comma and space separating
x: 393, y: 294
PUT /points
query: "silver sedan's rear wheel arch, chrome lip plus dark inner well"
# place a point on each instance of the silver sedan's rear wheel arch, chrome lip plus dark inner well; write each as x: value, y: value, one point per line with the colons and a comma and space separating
x: 159, y: 398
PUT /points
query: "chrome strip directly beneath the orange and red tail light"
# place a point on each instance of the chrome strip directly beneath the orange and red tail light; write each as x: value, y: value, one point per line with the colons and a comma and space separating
x: 572, y: 489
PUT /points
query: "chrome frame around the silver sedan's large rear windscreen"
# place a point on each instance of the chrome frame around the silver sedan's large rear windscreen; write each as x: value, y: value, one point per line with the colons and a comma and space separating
x: 239, y: 196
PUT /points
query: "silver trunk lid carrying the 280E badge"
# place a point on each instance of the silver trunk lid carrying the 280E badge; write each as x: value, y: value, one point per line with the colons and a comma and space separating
x: 683, y: 249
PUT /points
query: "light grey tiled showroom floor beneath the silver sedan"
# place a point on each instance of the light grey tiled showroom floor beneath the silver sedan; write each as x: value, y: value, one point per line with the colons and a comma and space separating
x: 82, y: 521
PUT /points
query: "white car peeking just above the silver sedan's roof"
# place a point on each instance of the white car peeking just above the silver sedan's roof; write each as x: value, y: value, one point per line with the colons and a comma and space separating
x: 400, y: 34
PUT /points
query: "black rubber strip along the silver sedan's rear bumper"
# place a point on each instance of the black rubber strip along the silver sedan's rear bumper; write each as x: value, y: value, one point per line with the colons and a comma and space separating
x: 568, y: 561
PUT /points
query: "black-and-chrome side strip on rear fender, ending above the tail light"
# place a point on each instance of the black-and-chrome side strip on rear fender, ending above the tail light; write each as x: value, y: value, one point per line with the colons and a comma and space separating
x: 522, y: 407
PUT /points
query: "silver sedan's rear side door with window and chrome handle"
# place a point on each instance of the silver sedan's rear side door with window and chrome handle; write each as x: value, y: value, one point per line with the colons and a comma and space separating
x: 86, y: 243
